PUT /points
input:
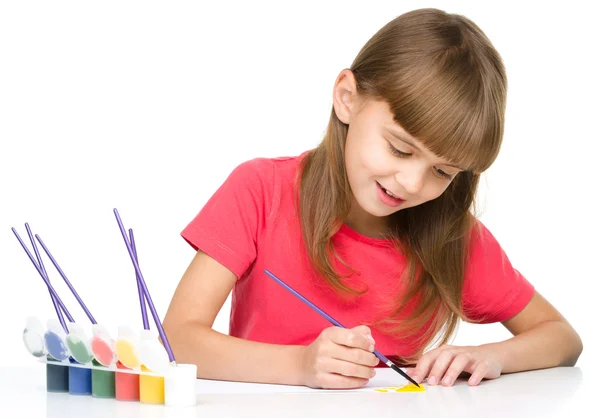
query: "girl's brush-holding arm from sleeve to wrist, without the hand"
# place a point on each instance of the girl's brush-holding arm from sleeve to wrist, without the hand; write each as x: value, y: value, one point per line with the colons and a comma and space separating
x: 198, y: 298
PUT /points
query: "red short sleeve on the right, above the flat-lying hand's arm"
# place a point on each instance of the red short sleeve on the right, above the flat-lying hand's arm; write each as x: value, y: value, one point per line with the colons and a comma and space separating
x: 493, y: 290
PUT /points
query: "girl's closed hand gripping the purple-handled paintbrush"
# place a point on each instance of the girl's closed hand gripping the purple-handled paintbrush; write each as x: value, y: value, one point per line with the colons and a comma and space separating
x: 339, y: 359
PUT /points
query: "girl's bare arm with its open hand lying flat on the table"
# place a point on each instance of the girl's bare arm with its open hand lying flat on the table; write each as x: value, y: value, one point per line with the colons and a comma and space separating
x: 542, y: 338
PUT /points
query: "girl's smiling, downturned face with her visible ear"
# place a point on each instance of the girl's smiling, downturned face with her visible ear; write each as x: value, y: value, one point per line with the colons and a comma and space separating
x: 382, y: 159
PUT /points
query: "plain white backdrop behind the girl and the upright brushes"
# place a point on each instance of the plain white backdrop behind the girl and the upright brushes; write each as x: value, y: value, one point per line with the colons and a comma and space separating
x: 148, y: 106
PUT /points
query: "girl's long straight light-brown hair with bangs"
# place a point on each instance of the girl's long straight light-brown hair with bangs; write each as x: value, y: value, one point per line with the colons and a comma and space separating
x: 446, y: 85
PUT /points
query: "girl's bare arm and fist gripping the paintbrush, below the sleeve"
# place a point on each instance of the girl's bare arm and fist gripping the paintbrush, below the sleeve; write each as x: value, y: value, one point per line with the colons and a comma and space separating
x: 198, y: 298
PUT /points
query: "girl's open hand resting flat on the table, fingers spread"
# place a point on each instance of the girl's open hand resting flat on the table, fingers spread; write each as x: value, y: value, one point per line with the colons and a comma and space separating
x: 446, y: 363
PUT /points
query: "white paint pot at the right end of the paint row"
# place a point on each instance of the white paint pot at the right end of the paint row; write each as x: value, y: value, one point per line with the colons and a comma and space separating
x: 180, y: 385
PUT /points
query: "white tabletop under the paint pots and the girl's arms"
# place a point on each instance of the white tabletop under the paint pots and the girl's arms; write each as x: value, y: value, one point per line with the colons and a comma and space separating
x: 558, y: 392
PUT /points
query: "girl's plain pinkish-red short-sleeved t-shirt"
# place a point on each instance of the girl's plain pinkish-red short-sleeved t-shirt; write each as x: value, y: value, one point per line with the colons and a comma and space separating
x: 250, y: 224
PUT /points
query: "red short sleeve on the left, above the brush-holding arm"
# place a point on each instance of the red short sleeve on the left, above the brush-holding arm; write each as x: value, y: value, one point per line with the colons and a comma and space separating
x: 229, y: 225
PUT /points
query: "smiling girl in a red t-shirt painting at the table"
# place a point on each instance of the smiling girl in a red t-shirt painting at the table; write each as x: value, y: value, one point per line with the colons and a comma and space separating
x: 375, y: 227
